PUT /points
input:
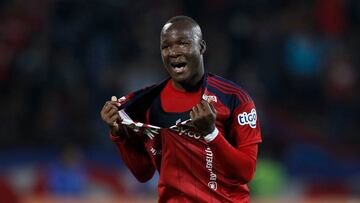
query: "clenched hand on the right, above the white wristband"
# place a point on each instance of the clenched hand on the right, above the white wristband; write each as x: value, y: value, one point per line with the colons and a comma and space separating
x: 203, y: 116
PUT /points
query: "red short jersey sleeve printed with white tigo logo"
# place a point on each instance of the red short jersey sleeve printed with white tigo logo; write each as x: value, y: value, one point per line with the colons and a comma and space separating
x: 245, y: 125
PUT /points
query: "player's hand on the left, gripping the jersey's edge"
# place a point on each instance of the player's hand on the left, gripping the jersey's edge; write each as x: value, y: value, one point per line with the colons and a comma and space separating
x: 110, y: 116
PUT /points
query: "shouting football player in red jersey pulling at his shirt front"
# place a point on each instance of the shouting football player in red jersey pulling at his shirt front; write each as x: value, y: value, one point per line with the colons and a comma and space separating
x: 206, y: 138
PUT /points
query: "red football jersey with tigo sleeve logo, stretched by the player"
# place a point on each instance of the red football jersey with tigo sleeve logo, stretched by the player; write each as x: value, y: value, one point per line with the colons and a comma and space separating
x: 191, y: 169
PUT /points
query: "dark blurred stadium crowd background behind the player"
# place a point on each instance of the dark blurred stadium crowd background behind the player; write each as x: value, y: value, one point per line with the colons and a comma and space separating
x: 60, y: 60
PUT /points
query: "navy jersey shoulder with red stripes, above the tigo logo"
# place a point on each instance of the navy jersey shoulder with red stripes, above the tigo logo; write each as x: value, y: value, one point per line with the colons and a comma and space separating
x: 227, y: 88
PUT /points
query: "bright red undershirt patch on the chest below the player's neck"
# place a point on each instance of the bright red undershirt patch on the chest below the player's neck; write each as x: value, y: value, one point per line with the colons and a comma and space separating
x: 174, y: 100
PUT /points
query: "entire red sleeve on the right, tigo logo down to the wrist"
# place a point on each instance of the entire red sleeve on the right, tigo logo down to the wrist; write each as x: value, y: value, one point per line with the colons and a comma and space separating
x: 238, y: 149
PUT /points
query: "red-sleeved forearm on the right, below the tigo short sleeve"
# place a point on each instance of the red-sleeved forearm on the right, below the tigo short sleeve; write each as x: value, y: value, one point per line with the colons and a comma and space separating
x: 238, y: 163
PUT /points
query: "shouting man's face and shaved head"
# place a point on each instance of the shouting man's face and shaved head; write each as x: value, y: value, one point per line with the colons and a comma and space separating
x: 181, y: 51
